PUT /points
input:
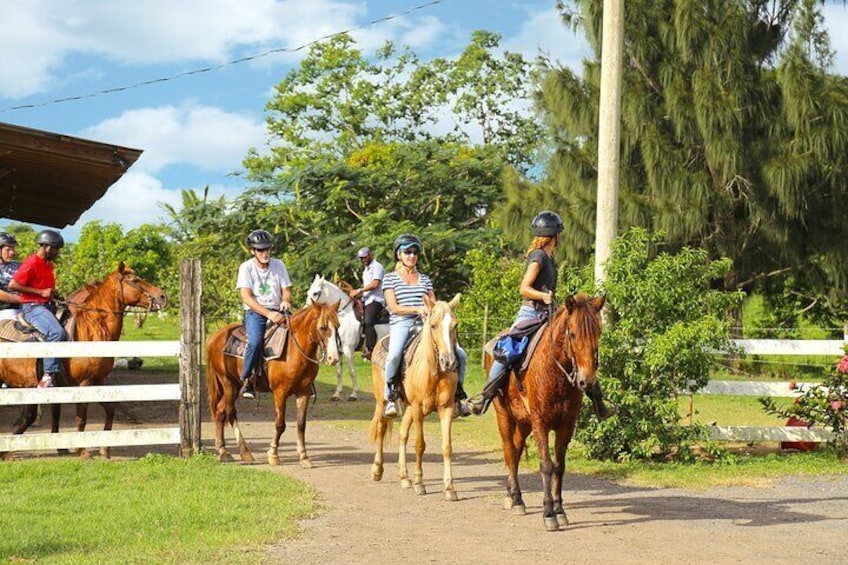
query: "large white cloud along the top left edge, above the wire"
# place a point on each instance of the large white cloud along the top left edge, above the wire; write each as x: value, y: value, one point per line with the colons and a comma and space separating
x: 41, y: 35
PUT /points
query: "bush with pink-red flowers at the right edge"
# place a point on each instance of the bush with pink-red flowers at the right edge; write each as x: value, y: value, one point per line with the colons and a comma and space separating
x: 824, y: 405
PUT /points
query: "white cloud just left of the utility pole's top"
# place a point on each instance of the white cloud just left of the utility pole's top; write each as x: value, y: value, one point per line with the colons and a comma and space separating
x: 544, y: 32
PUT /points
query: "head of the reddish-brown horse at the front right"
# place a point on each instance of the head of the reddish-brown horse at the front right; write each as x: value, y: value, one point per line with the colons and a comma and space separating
x: 579, y: 324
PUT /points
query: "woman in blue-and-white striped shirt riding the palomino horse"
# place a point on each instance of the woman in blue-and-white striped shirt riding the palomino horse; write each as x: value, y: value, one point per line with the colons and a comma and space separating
x: 404, y: 290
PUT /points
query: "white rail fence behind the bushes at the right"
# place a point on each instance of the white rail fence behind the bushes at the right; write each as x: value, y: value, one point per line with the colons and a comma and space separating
x: 831, y: 348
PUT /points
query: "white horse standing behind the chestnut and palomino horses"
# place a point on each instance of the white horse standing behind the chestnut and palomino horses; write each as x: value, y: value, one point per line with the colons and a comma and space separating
x: 323, y: 291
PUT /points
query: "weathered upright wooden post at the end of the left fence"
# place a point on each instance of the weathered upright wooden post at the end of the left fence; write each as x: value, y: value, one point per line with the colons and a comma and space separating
x: 191, y: 332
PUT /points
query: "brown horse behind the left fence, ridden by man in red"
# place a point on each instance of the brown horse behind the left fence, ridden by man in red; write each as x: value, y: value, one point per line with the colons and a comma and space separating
x: 98, y: 311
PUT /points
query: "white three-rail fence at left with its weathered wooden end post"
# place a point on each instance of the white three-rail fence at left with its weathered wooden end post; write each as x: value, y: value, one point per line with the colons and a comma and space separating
x: 187, y: 391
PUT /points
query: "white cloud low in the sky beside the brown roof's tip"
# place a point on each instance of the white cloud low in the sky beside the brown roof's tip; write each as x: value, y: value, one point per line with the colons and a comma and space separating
x: 201, y: 136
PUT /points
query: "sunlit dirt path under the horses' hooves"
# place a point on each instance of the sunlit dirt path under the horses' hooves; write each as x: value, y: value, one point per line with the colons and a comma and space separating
x: 368, y: 522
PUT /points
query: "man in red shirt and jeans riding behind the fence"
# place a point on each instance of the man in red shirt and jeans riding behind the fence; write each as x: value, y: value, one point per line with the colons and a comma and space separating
x: 36, y: 282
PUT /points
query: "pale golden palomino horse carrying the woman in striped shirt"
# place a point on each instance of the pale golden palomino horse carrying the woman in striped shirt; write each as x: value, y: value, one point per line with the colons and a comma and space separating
x: 429, y: 385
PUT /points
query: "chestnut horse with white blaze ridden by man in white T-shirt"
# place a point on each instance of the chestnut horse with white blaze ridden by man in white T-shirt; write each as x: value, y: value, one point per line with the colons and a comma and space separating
x: 292, y: 374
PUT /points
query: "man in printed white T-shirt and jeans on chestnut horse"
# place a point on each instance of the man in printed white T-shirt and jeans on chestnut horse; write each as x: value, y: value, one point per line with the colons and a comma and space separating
x: 265, y: 289
